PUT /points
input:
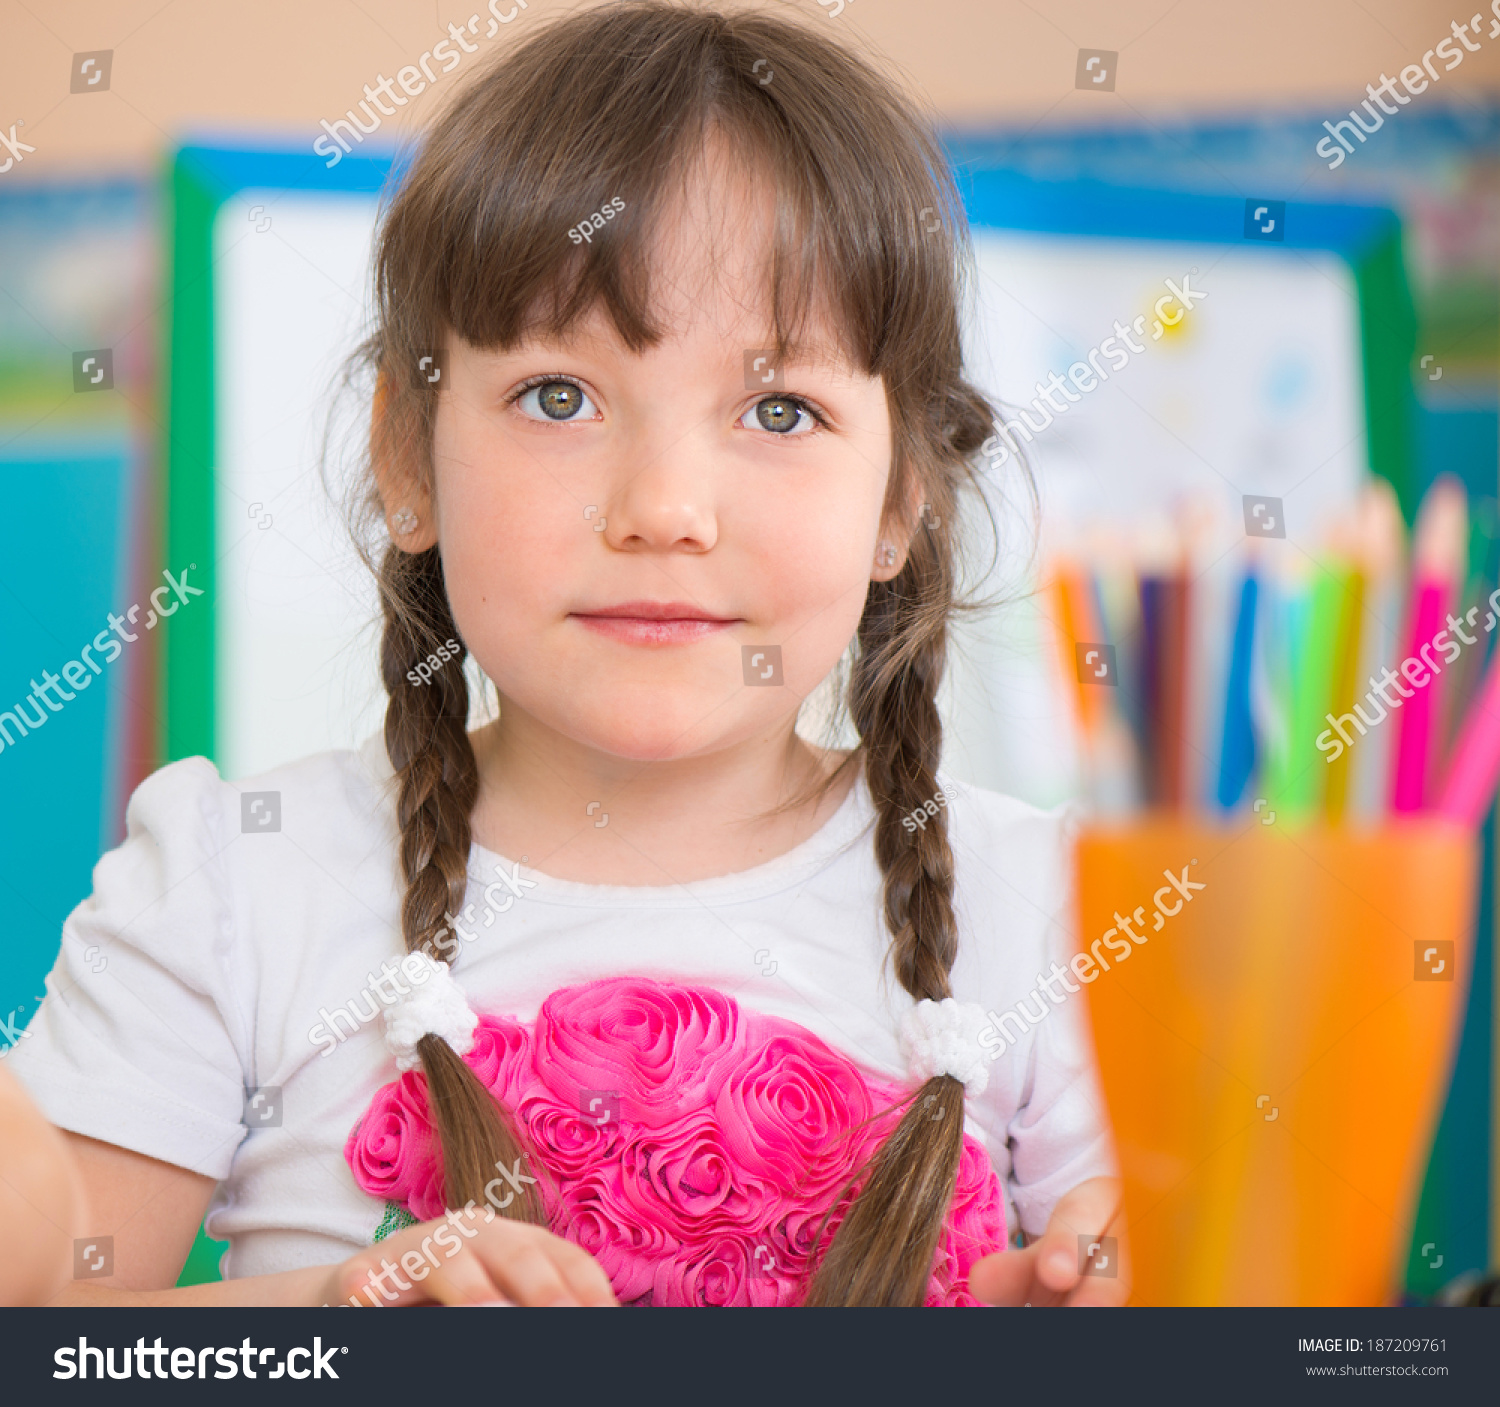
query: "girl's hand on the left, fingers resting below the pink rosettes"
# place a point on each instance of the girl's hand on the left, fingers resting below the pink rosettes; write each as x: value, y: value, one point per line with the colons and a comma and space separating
x: 470, y: 1258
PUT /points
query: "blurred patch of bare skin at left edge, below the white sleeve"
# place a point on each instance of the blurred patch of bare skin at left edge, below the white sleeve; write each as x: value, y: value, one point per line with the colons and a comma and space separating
x: 41, y: 1202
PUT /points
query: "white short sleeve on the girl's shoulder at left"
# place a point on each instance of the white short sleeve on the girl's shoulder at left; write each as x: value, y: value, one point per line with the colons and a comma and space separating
x: 140, y: 1040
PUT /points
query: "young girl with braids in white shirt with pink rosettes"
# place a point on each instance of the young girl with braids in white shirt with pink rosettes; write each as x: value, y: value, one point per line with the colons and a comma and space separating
x: 691, y: 1010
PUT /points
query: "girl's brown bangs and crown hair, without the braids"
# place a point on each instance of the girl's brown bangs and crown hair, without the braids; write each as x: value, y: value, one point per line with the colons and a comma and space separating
x: 629, y: 107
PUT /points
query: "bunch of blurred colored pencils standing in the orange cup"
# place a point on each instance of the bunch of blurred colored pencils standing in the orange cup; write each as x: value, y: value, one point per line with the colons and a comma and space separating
x: 1349, y: 643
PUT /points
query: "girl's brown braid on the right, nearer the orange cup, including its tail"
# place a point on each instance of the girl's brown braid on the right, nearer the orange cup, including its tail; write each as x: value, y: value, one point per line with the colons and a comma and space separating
x: 883, y: 1253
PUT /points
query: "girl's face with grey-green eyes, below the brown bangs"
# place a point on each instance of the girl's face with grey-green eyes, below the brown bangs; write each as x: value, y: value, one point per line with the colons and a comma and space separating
x: 661, y: 554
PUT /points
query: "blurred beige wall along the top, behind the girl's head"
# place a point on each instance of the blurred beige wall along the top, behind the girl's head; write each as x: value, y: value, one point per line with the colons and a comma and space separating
x: 283, y: 65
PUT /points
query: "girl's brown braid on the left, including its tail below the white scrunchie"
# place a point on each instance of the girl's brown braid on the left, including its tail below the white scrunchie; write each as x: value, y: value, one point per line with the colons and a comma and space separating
x: 427, y: 739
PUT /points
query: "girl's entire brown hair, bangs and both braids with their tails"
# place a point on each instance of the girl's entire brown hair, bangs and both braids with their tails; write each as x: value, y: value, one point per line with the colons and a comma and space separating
x: 619, y: 100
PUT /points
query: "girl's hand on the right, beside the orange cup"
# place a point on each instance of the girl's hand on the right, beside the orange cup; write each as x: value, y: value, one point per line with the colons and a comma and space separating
x: 1046, y: 1273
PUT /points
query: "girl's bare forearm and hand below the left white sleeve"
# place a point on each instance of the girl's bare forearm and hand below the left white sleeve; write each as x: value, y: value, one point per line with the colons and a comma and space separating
x: 152, y: 1210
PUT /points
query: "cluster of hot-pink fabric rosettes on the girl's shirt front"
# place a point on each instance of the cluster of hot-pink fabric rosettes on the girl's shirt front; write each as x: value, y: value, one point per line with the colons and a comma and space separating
x: 728, y: 1157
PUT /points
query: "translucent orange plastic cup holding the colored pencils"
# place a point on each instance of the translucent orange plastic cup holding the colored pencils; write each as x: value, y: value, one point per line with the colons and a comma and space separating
x: 1274, y: 1055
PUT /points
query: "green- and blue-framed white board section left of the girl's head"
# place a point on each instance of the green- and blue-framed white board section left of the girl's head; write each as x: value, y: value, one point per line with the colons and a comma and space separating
x: 271, y: 260
